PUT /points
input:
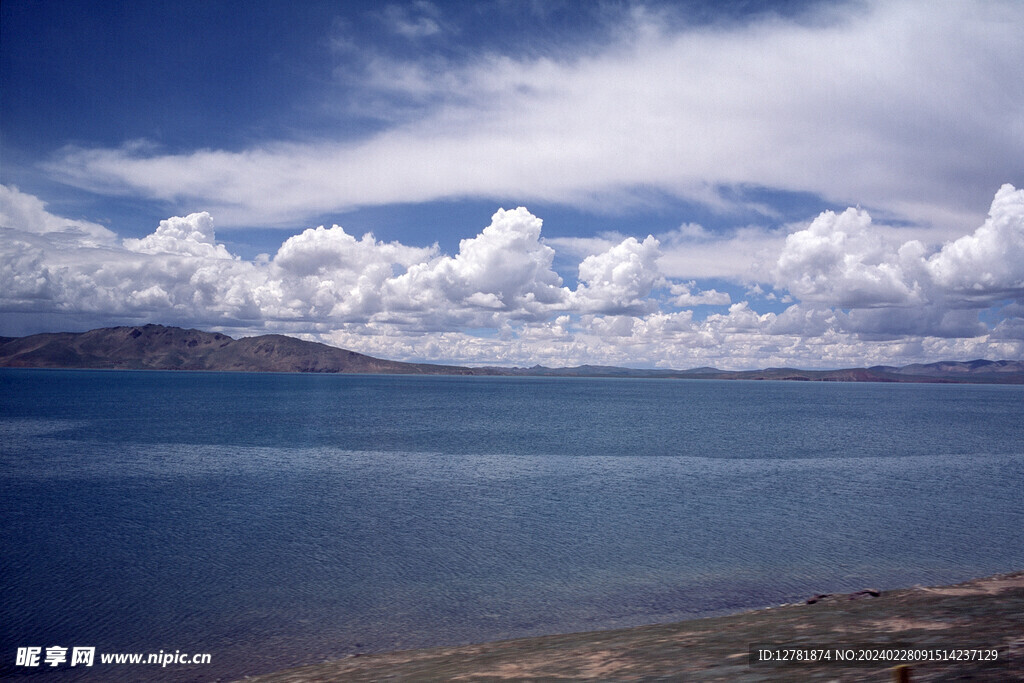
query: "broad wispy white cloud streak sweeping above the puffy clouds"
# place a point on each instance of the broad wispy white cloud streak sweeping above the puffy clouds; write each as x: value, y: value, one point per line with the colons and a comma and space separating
x: 900, y: 107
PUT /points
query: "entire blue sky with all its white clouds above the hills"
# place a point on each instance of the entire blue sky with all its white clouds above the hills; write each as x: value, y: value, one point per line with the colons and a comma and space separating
x: 730, y: 184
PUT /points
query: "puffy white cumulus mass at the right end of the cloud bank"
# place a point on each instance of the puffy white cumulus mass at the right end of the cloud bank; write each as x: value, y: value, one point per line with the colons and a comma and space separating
x: 889, y: 289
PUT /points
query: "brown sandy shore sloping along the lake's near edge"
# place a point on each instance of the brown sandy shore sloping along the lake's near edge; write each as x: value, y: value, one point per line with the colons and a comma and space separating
x: 985, y: 613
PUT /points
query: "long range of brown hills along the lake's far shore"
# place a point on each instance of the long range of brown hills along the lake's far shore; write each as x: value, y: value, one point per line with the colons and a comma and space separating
x: 159, y: 348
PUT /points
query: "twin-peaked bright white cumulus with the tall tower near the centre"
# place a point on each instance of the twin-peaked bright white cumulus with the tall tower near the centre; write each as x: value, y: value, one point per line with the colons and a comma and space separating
x: 503, y: 274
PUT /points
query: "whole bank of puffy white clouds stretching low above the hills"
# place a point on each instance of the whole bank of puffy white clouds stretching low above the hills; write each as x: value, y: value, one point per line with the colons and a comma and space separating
x: 858, y: 291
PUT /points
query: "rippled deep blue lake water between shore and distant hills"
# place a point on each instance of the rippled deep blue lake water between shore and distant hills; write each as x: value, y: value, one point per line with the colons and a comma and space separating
x: 275, y: 521
